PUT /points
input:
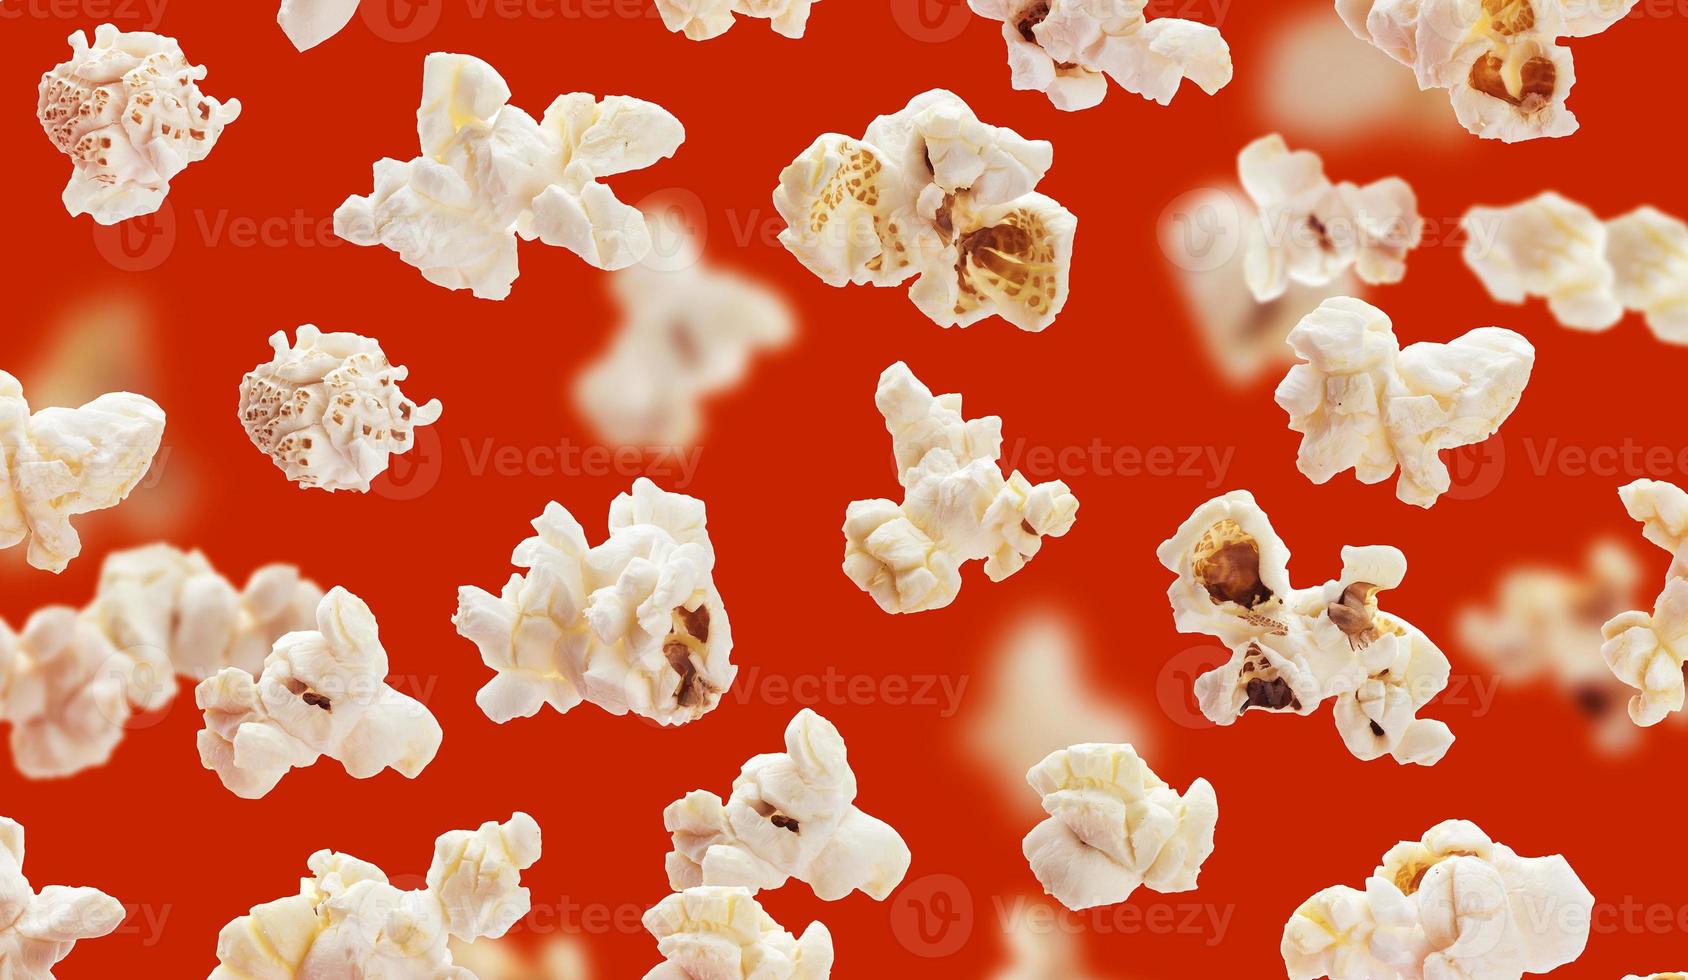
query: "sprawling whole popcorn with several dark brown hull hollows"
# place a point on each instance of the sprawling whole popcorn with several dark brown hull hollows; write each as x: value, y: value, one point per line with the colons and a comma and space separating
x: 1296, y: 649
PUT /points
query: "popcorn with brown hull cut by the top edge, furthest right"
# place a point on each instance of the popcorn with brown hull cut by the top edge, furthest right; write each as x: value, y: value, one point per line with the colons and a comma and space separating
x: 1500, y: 60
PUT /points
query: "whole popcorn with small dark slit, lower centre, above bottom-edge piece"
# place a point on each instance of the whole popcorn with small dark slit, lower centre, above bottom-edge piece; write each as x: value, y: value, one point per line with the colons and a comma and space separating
x: 791, y: 816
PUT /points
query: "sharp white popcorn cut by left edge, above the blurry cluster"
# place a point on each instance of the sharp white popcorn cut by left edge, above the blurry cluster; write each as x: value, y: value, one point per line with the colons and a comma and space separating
x: 62, y: 463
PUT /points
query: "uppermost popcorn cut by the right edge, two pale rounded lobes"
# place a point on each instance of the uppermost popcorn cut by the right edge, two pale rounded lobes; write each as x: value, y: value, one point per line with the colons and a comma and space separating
x: 1588, y: 271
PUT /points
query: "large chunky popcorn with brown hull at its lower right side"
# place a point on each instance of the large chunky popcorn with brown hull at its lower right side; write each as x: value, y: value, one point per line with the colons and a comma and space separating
x: 634, y: 625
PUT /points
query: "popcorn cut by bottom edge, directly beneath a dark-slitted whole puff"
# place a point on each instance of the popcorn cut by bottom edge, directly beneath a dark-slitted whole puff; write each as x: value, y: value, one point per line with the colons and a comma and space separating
x: 723, y: 934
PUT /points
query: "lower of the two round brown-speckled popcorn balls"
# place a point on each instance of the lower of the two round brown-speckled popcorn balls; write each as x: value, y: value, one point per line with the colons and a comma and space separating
x: 328, y: 409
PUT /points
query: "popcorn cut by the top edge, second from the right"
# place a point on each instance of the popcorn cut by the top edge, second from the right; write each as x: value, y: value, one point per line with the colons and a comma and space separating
x: 1069, y: 50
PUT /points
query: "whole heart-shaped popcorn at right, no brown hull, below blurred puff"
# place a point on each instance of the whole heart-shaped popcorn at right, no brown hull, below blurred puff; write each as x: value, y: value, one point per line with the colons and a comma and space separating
x: 1366, y: 404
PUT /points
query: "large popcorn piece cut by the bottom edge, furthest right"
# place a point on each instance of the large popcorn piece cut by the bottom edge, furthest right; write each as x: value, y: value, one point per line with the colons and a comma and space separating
x: 1456, y: 905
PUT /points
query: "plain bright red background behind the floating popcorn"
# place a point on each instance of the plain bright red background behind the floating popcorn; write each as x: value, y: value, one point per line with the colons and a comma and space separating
x: 793, y: 448
